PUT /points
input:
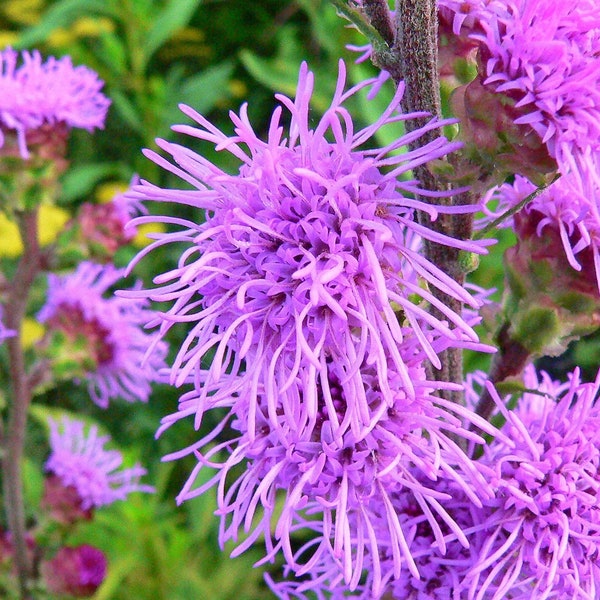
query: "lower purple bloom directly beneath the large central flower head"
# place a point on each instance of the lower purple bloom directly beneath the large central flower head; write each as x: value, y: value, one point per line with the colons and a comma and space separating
x: 340, y: 489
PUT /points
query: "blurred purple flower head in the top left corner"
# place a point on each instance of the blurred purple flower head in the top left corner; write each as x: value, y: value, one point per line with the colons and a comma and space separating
x: 34, y: 93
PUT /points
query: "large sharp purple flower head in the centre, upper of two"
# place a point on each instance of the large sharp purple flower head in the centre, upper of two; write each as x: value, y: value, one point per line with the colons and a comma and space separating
x: 299, y: 259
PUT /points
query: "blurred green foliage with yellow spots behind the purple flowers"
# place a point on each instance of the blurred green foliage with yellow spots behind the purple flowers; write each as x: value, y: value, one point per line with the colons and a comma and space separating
x: 154, y: 54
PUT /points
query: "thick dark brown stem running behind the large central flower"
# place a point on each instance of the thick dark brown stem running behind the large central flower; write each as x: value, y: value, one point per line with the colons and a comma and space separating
x: 415, y: 50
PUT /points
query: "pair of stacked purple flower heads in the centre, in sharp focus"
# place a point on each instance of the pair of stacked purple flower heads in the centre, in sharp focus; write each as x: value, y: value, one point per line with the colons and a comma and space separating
x: 303, y: 288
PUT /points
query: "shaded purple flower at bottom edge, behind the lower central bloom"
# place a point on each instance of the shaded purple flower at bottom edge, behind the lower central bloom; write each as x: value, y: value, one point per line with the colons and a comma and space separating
x: 442, y: 571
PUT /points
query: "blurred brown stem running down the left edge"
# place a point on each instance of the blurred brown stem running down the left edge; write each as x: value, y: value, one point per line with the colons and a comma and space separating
x: 14, y: 440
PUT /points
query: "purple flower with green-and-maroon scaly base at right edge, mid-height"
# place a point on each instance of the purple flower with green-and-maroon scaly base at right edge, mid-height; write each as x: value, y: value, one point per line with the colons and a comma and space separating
x: 550, y: 303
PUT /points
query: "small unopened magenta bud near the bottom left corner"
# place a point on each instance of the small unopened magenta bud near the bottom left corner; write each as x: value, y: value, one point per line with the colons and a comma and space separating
x: 76, y: 571
